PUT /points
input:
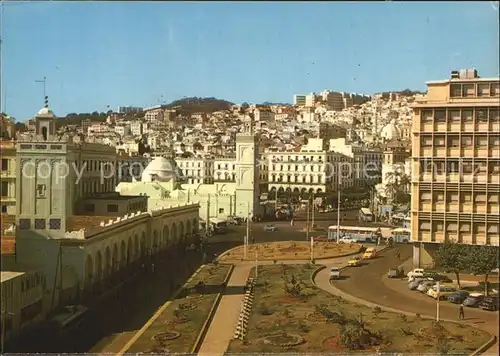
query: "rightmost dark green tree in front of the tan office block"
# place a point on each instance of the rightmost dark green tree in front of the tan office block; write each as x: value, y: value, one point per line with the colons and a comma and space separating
x: 482, y: 260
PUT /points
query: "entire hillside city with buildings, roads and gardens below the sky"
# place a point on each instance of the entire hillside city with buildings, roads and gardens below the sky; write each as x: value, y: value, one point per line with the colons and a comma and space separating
x: 340, y: 223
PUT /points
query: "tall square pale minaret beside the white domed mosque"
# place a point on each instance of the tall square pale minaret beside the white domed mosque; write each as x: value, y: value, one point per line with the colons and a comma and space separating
x: 247, y: 172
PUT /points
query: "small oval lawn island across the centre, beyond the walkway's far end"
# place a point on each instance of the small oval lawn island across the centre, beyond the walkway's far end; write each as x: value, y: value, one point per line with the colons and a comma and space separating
x: 291, y: 250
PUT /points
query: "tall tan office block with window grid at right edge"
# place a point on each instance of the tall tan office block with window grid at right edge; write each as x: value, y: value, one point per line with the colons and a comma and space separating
x: 456, y: 164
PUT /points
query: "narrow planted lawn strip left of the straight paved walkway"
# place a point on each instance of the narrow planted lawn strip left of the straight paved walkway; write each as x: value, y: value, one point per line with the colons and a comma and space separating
x: 178, y: 327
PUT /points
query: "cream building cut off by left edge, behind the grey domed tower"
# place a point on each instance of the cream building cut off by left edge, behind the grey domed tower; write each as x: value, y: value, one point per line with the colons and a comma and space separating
x: 8, y: 177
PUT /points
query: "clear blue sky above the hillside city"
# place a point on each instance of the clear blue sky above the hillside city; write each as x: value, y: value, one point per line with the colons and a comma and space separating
x: 100, y: 54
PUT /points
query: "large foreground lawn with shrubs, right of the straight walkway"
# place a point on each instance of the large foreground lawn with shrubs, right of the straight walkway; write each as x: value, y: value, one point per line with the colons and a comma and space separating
x: 284, y: 313
